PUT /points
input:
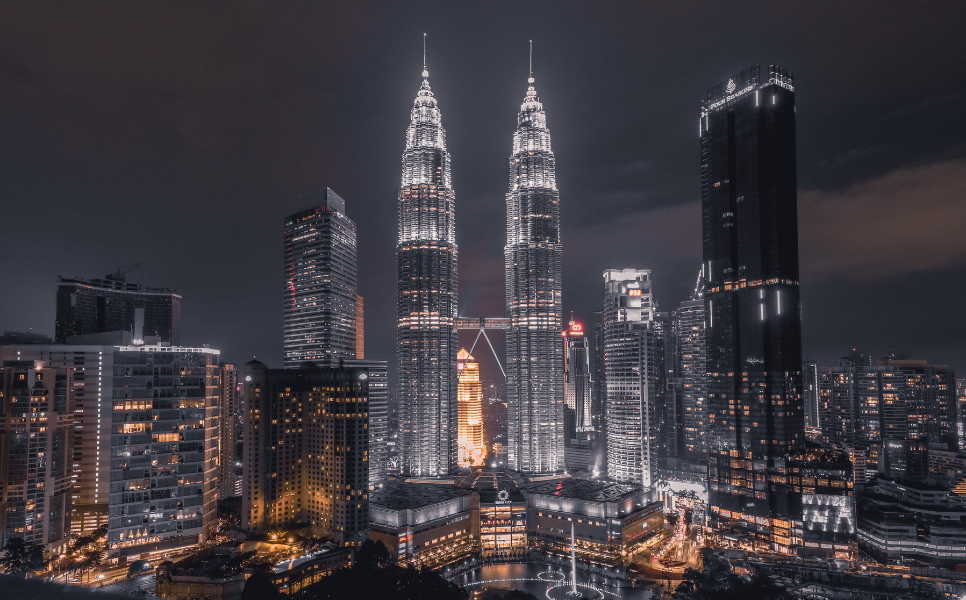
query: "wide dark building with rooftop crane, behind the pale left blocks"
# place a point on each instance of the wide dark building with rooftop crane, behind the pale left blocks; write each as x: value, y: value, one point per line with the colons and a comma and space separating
x: 87, y: 306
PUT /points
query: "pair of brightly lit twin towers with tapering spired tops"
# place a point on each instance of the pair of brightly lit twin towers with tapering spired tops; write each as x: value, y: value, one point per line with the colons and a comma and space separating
x: 428, y: 300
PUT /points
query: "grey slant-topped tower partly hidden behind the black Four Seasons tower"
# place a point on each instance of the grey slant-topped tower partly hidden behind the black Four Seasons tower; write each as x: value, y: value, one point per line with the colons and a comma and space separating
x: 688, y: 365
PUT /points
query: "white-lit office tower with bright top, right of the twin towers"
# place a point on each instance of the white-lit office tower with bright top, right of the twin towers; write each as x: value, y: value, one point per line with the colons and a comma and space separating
x: 635, y: 373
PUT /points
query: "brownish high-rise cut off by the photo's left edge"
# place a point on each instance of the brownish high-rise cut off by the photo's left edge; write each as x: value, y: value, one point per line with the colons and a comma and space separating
x: 36, y: 426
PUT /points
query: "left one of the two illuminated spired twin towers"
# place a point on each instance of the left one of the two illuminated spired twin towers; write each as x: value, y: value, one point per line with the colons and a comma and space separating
x: 426, y: 263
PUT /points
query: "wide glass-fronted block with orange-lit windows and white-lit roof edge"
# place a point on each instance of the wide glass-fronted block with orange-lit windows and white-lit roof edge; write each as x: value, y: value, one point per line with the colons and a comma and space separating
x: 164, y: 449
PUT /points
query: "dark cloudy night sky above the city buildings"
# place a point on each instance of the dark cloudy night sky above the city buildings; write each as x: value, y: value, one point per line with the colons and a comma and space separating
x: 178, y: 135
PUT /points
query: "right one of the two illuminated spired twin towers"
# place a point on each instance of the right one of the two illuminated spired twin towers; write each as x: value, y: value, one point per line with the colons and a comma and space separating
x: 535, y: 403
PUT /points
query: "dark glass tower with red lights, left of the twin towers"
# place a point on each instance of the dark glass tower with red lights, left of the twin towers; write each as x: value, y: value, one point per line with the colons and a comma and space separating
x: 320, y: 281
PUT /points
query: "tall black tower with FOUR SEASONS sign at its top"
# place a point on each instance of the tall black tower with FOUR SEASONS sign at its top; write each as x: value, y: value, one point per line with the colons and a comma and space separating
x: 750, y: 228
